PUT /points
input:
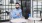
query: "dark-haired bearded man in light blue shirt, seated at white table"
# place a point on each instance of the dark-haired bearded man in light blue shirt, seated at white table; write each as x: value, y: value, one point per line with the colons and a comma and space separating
x: 16, y: 13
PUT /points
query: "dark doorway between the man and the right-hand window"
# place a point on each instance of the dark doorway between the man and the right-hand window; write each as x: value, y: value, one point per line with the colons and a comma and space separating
x: 25, y: 6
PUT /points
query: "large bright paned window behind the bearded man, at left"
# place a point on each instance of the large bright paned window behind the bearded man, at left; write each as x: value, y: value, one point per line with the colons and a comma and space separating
x: 6, y: 6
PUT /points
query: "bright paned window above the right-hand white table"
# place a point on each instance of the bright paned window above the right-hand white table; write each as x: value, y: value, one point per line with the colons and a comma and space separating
x: 37, y: 7
